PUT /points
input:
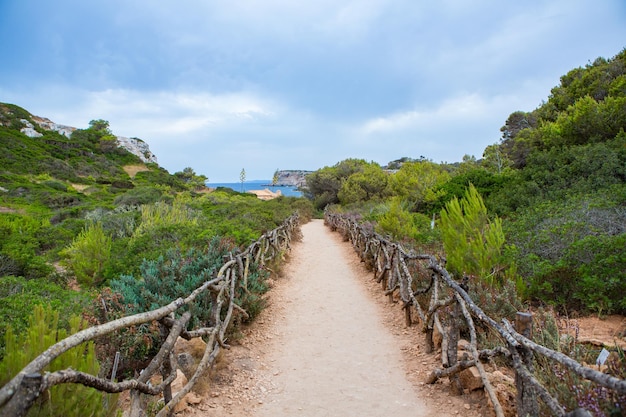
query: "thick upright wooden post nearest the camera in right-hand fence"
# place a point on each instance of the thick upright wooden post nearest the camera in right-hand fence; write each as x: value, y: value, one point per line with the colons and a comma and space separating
x: 526, y: 398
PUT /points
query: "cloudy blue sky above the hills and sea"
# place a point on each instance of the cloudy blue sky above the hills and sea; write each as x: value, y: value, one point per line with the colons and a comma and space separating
x: 281, y: 84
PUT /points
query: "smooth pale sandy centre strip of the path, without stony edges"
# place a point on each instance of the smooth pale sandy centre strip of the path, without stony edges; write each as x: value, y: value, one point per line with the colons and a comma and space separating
x: 333, y: 356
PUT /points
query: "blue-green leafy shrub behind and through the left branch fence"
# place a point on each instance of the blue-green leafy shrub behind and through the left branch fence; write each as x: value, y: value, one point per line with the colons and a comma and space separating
x: 161, y: 281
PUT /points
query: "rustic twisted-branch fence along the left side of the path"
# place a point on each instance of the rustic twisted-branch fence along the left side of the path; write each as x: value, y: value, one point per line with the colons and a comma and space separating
x: 19, y: 394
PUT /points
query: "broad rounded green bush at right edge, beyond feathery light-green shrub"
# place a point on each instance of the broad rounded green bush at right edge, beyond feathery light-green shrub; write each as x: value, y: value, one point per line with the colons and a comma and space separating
x: 570, y: 252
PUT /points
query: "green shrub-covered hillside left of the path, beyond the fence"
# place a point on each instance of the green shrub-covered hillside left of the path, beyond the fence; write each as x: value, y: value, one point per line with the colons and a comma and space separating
x: 78, y: 213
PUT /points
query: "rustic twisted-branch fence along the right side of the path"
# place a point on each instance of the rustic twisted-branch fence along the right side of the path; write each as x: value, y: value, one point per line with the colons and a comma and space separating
x: 520, y: 348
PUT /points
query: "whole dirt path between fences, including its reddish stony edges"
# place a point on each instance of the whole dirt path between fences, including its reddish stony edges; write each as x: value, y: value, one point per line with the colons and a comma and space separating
x: 324, y: 347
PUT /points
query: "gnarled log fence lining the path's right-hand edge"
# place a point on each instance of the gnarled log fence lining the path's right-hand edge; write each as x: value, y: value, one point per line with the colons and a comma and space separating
x: 390, y: 264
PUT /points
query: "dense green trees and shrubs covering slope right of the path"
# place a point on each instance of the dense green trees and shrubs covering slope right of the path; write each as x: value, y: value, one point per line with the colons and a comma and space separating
x: 557, y: 181
